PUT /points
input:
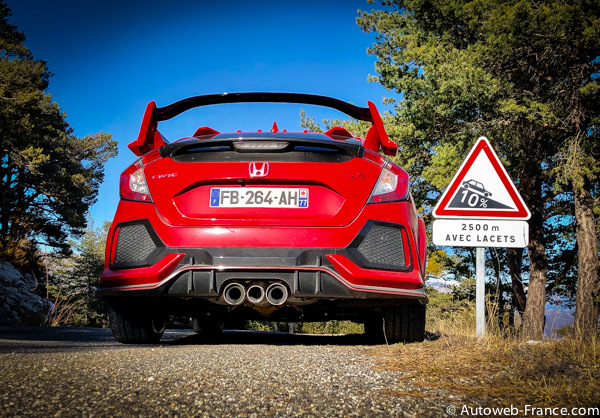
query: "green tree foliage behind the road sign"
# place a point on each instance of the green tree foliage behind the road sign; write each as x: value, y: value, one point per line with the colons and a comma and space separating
x: 522, y: 73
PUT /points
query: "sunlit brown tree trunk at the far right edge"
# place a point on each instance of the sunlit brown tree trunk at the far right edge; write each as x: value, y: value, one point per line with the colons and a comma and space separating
x: 588, y: 269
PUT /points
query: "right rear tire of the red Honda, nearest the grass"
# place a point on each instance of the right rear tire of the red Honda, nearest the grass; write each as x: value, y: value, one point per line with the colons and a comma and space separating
x: 398, y: 324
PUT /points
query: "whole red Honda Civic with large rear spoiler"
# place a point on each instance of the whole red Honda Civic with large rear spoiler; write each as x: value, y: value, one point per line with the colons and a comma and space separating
x: 274, y: 226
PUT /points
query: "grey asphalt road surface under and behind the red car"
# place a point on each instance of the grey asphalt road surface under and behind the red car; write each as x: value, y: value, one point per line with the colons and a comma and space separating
x: 83, y: 372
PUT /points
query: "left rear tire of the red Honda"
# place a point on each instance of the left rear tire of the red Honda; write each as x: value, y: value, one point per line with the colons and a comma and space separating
x: 136, y: 327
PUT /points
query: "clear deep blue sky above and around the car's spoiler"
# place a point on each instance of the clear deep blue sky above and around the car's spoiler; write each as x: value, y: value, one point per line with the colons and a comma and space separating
x: 111, y: 58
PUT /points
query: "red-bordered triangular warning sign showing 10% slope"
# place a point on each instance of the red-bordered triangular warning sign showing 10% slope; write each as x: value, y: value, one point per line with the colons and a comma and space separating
x: 481, y: 189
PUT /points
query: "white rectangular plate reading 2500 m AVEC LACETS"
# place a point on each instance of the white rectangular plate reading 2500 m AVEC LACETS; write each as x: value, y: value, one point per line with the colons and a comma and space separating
x: 480, y: 233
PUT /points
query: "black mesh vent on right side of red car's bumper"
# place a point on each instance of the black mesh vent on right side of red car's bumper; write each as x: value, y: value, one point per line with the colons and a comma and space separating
x: 383, y: 245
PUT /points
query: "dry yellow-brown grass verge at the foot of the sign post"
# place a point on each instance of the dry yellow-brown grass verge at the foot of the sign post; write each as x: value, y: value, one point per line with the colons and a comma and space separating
x: 563, y: 372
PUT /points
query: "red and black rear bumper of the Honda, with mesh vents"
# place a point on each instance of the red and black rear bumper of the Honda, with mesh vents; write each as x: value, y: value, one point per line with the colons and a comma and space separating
x: 148, y: 257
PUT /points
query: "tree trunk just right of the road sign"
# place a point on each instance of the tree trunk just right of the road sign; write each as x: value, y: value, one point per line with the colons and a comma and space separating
x: 535, y: 313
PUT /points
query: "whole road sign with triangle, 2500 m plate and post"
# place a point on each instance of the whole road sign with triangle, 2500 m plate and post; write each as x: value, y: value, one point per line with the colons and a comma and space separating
x: 485, y: 210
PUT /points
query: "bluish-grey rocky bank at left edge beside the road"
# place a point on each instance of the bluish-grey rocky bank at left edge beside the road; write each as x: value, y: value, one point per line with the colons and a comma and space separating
x: 19, y: 305
